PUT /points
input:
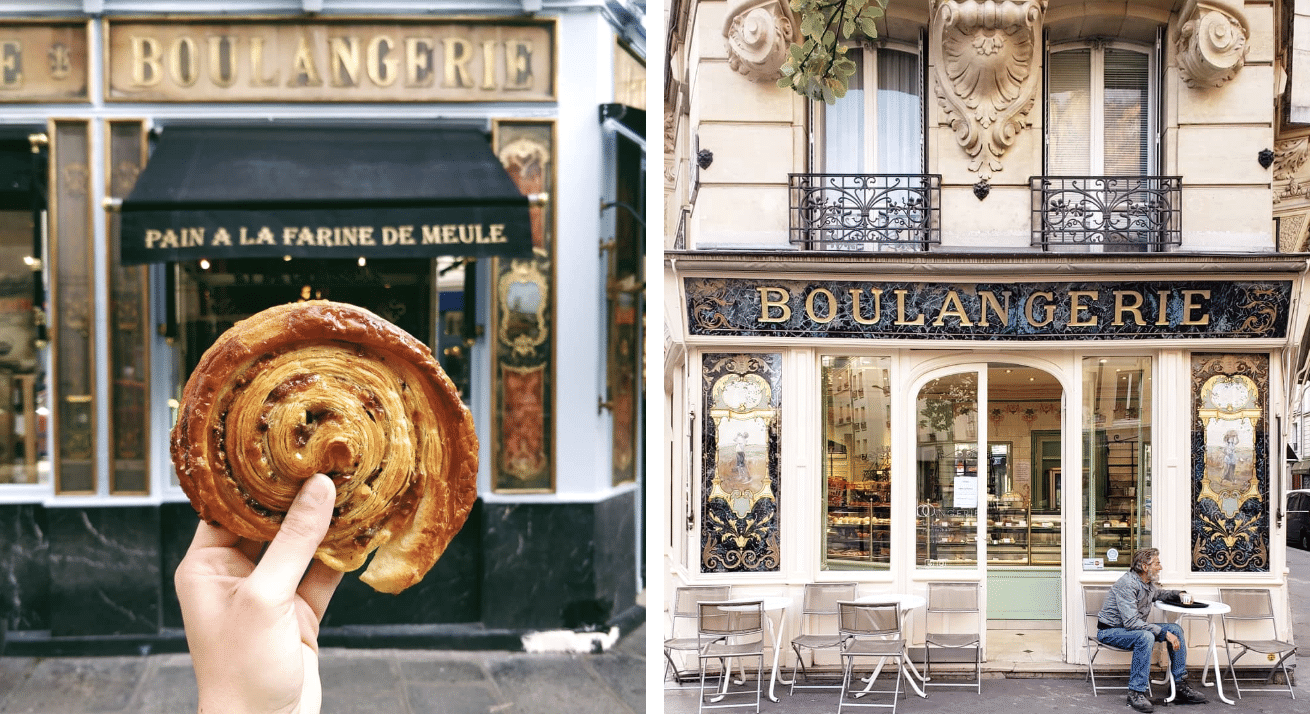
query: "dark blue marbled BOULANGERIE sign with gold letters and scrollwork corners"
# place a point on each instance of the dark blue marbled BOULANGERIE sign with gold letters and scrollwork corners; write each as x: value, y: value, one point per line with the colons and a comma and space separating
x: 988, y: 311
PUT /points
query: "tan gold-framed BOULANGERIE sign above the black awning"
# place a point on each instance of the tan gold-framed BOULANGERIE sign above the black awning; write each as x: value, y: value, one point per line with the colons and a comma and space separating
x: 332, y: 61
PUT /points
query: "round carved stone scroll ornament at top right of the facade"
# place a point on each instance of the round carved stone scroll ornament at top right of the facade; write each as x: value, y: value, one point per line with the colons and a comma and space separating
x: 1211, y: 43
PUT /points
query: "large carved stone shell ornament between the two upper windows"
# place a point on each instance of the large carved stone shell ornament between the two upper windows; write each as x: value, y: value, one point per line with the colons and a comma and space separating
x: 987, y: 77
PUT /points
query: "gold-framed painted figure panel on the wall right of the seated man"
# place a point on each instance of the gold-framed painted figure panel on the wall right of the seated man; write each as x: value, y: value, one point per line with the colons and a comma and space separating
x: 1231, y: 467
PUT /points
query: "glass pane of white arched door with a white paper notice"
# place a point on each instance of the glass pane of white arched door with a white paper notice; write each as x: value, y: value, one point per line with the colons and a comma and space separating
x: 948, y: 468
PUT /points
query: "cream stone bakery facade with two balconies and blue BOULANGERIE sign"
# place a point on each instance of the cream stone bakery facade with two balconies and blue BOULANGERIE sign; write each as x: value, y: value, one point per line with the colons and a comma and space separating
x: 1000, y: 357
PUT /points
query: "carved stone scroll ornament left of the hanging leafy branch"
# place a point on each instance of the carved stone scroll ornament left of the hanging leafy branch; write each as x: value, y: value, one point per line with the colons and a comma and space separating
x: 758, y: 35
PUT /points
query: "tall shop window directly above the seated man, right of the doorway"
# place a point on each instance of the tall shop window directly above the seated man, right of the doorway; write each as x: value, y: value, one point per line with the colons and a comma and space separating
x: 1117, y: 478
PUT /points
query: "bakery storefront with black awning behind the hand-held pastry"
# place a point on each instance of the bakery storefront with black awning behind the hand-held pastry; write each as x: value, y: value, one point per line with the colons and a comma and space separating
x: 167, y: 178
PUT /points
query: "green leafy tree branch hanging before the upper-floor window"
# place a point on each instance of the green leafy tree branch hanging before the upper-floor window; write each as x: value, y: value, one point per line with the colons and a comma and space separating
x: 819, y: 67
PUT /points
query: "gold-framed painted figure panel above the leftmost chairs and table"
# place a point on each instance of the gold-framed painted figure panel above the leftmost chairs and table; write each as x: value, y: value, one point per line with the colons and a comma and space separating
x: 741, y: 463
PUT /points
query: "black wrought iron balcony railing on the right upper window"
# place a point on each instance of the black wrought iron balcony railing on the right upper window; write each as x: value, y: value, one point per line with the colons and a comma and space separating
x: 1129, y: 214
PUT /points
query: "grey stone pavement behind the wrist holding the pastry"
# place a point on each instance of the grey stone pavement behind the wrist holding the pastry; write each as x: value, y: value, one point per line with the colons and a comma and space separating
x: 373, y: 682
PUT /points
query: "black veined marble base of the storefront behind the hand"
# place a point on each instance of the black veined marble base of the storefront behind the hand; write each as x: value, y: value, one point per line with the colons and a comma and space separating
x: 100, y: 581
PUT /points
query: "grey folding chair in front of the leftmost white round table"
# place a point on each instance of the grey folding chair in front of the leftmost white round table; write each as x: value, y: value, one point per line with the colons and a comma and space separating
x: 732, y: 631
